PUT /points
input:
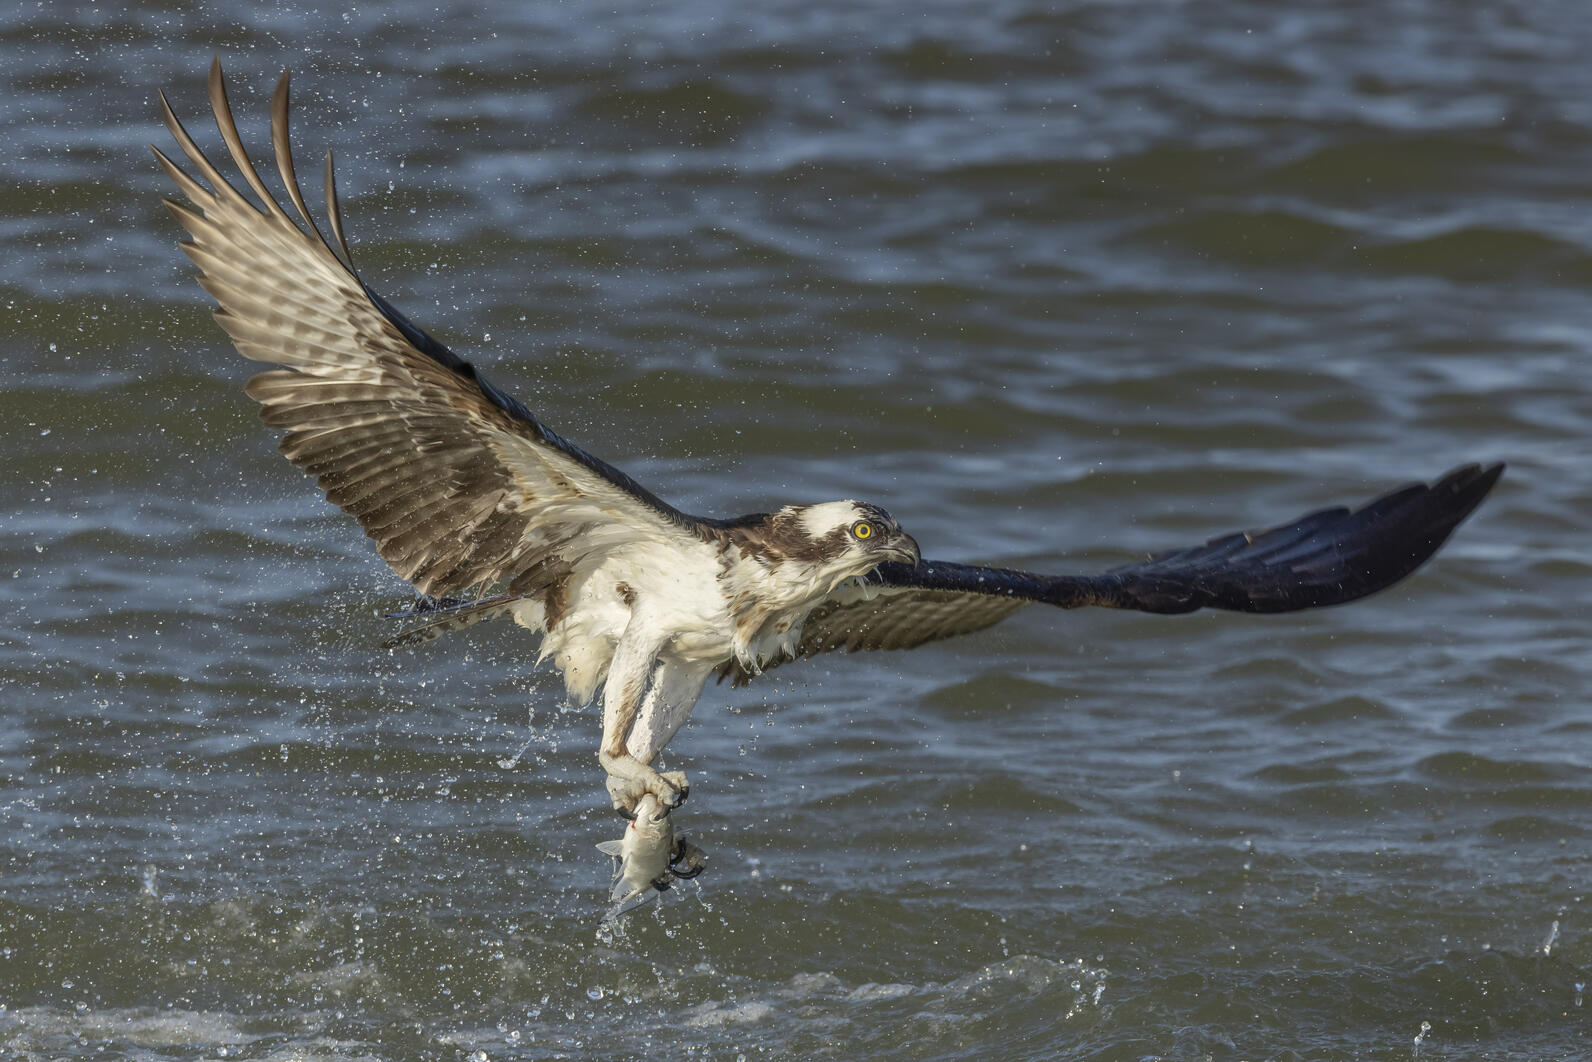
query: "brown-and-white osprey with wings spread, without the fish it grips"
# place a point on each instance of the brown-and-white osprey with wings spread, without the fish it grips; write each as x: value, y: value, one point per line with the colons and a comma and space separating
x: 490, y: 513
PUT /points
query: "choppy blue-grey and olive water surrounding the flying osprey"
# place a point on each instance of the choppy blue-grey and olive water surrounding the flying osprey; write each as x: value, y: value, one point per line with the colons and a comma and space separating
x: 1056, y: 284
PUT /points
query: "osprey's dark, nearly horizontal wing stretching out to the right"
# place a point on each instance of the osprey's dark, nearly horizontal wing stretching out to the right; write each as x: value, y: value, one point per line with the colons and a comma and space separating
x: 1325, y: 558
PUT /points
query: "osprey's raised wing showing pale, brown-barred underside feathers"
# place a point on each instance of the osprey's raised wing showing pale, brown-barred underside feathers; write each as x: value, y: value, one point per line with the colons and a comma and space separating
x: 458, y: 483
